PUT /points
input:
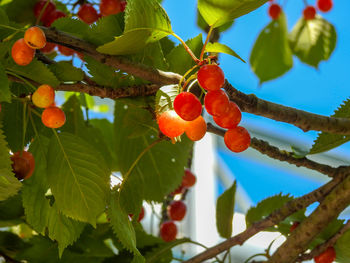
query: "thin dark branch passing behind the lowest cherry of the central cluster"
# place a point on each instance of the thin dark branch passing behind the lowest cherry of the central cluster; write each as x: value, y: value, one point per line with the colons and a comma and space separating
x: 284, y: 156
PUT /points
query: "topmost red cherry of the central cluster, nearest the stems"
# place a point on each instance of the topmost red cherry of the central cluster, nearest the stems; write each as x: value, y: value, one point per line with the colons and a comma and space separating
x: 211, y: 77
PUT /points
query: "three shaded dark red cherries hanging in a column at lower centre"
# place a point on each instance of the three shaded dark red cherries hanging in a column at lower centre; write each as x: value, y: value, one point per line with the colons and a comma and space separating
x: 176, y: 210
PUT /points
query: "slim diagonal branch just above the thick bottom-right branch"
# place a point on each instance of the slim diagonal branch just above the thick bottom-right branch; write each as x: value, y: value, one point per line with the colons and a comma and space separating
x: 280, y: 214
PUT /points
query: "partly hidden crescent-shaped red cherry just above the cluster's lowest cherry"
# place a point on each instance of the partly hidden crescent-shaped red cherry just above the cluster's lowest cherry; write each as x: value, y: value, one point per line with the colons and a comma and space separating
x: 231, y: 118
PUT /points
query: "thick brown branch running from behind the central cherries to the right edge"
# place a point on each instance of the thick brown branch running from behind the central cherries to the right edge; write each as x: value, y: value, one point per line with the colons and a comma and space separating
x: 304, y: 120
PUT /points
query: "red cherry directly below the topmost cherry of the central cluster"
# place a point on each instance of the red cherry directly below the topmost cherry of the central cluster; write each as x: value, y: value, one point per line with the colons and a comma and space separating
x: 216, y: 102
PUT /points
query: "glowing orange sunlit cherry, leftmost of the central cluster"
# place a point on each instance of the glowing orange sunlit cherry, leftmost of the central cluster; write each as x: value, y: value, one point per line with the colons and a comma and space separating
x: 170, y: 124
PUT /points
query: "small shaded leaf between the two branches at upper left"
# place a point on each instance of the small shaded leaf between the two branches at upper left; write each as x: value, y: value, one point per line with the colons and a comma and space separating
x: 65, y: 71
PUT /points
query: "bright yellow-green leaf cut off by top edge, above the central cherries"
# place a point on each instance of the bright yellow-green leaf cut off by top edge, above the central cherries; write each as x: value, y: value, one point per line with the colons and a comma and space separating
x: 218, y: 12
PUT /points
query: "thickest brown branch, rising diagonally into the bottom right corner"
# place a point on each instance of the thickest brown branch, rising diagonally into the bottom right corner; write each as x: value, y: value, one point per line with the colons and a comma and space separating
x: 328, y: 210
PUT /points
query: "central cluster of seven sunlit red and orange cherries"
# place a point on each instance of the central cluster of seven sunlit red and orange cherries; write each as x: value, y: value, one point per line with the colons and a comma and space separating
x: 186, y: 116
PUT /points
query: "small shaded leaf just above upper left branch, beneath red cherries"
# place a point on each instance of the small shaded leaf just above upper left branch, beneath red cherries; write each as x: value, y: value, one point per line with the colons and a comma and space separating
x: 72, y: 26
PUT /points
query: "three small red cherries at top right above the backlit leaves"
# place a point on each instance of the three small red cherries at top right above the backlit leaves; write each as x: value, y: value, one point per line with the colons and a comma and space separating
x: 309, y: 12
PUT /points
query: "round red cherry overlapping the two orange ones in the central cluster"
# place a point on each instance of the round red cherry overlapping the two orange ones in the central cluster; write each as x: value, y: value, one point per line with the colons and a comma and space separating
x: 187, y: 106
